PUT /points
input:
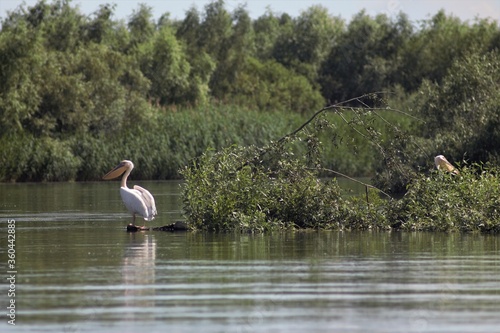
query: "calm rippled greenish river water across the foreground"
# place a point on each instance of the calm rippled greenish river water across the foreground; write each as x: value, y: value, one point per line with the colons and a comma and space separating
x: 78, y: 270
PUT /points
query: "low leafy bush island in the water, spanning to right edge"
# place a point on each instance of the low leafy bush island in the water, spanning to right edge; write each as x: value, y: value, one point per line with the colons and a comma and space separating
x: 253, y: 189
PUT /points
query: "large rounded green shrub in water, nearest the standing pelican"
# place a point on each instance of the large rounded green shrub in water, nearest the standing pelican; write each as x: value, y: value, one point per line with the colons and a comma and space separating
x: 240, y: 189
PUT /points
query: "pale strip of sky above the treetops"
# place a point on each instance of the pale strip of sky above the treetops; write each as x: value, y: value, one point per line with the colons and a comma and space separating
x: 415, y: 9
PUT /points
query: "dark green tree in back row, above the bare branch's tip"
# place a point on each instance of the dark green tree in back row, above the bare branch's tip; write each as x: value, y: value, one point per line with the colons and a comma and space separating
x: 365, y: 57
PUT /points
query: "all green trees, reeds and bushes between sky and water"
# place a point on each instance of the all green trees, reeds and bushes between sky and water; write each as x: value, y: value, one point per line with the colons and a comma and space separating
x: 211, y: 97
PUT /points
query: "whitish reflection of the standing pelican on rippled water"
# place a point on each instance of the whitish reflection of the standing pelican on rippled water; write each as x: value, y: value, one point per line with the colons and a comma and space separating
x: 138, y: 272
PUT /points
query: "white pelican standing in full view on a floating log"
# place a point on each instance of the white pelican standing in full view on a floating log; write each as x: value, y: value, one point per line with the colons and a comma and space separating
x: 137, y: 200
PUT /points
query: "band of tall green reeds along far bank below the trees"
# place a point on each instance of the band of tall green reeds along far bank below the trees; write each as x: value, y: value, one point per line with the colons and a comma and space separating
x: 169, y: 141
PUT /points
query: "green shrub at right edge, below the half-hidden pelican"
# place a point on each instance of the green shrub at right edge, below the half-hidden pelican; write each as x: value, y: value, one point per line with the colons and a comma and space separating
x: 442, y: 201
